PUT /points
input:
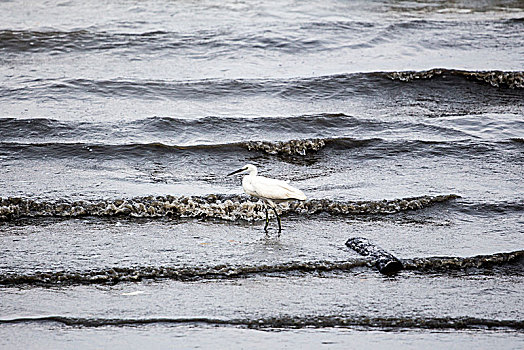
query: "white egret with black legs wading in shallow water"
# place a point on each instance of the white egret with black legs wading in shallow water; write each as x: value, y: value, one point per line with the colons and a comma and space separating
x: 271, y: 191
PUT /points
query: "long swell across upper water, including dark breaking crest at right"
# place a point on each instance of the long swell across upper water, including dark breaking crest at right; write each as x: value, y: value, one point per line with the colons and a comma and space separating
x: 328, y: 87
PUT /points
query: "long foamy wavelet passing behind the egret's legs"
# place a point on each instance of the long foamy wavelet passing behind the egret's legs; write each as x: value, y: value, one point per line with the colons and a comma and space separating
x: 225, y: 207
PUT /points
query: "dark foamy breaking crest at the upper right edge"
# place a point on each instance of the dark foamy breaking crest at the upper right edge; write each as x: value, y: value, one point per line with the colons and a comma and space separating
x: 494, y: 78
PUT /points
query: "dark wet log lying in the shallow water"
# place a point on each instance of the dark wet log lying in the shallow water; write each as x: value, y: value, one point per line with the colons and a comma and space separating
x: 385, y: 262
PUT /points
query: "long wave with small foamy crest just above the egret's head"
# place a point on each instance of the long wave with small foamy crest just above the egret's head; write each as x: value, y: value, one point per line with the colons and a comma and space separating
x: 373, y: 148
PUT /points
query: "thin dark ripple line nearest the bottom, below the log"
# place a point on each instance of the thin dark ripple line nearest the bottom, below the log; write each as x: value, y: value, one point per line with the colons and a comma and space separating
x: 289, y: 322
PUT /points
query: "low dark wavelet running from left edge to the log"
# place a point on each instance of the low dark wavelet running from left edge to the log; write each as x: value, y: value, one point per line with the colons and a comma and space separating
x: 135, y: 274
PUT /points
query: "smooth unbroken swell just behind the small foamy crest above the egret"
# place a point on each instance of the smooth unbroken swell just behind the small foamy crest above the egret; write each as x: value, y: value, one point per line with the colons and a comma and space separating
x: 309, y: 124
